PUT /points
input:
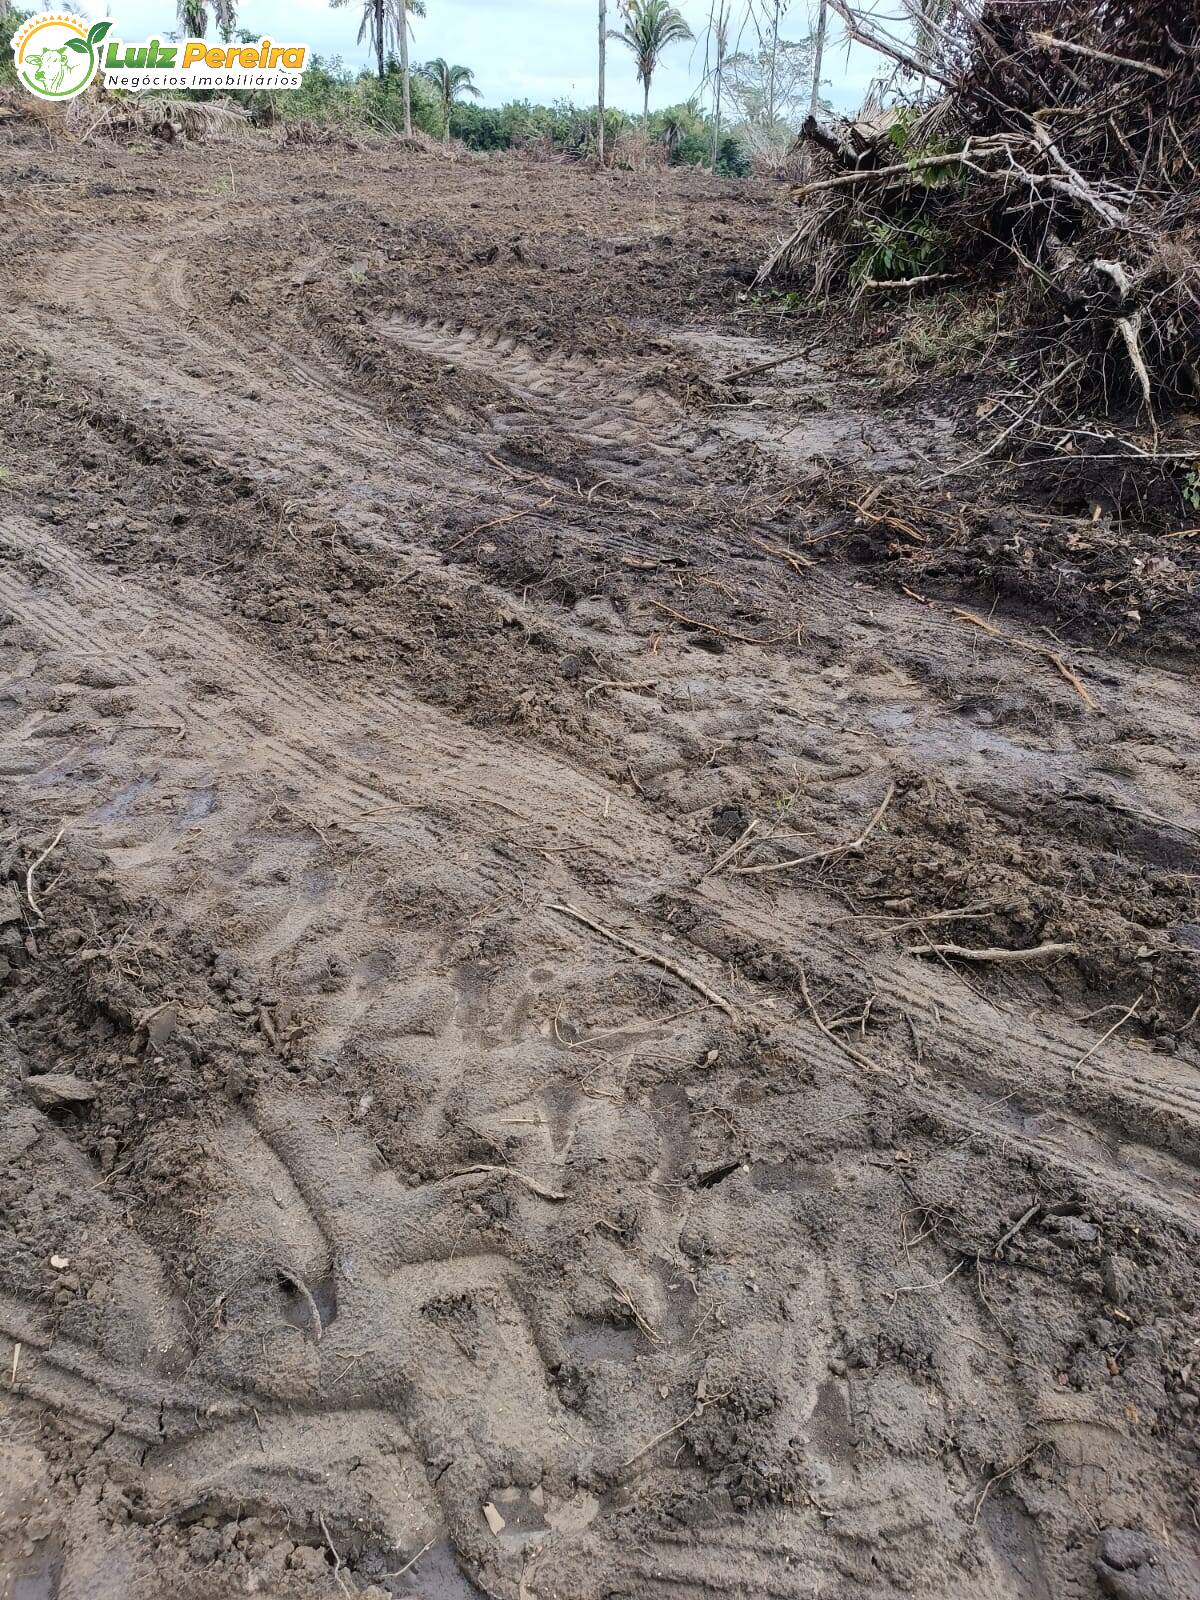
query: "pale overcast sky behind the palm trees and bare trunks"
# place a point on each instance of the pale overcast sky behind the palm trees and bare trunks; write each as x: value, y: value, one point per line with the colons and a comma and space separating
x: 538, y: 50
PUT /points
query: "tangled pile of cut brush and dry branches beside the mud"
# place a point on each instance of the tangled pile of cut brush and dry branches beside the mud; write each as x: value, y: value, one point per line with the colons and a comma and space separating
x: 1055, y: 150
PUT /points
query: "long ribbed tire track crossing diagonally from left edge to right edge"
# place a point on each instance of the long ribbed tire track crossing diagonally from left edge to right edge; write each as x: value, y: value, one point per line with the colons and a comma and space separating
x: 529, y: 788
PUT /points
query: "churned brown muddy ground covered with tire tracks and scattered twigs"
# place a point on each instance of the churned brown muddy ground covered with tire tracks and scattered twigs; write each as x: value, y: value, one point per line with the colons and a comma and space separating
x: 559, y: 1038
